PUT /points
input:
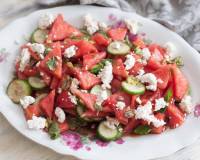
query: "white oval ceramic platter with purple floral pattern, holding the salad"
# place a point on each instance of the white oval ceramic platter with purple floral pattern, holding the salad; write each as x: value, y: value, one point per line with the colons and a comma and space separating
x: 145, y: 147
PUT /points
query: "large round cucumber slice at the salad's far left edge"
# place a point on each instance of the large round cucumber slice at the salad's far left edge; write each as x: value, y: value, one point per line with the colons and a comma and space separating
x: 18, y: 89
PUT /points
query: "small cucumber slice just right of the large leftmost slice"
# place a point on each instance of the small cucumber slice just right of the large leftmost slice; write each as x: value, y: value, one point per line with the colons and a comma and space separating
x: 36, y: 82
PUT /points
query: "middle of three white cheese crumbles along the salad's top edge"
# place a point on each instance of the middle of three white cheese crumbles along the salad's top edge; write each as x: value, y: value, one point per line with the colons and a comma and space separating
x: 91, y: 25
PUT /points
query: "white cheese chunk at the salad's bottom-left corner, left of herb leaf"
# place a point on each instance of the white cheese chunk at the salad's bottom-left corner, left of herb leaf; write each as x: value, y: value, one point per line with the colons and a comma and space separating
x: 36, y: 123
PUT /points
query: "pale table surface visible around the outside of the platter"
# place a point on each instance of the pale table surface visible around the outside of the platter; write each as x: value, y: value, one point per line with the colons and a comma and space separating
x: 16, y: 147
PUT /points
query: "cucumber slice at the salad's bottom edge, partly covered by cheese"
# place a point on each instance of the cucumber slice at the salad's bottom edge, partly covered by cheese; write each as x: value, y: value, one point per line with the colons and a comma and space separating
x: 105, y: 133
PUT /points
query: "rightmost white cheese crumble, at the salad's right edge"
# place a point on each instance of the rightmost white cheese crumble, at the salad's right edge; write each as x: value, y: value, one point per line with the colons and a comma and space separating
x: 186, y: 104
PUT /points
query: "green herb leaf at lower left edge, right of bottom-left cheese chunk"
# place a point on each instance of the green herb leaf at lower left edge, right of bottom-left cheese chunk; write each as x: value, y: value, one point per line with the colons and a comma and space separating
x: 54, y: 130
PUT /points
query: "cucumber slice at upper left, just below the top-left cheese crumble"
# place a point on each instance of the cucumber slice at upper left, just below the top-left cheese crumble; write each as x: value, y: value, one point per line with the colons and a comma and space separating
x: 39, y: 36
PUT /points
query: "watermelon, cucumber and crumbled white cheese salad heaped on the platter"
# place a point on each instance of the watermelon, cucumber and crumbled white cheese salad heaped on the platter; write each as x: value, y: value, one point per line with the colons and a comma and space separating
x: 104, y: 80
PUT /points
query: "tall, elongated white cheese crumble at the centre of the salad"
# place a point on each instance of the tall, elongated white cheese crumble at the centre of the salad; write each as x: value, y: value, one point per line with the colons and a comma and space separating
x: 106, y: 75
